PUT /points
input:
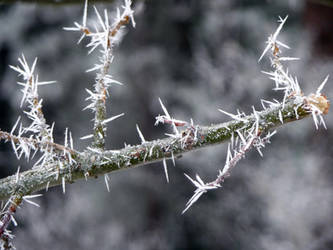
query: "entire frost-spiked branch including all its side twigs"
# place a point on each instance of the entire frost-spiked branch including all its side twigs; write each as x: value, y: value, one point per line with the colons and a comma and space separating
x: 59, y: 164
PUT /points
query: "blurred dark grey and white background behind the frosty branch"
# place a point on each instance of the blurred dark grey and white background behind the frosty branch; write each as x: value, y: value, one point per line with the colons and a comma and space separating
x: 197, y: 56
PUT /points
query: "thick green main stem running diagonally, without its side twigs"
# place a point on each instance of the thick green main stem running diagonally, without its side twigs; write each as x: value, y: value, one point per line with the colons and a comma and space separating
x: 92, y: 163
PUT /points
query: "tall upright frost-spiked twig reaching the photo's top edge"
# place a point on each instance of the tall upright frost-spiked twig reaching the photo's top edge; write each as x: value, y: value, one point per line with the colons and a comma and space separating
x: 104, y: 37
